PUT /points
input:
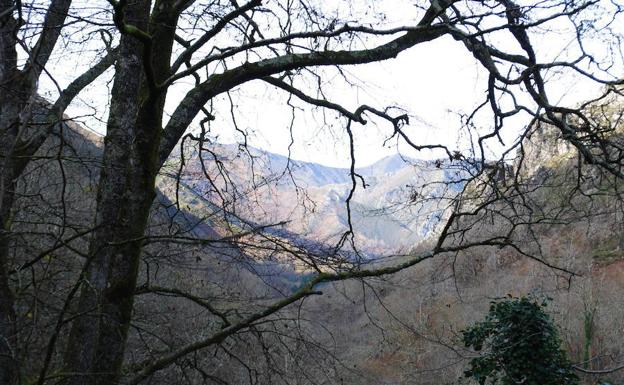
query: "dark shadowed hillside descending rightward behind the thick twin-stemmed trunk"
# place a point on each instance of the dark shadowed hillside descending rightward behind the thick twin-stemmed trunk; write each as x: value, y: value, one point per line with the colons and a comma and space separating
x: 187, y: 266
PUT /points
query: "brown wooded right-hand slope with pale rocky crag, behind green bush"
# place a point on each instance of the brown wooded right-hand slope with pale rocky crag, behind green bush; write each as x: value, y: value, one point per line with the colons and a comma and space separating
x: 405, y: 329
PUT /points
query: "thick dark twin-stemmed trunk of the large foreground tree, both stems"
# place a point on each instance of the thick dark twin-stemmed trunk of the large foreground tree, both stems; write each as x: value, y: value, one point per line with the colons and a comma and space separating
x: 96, y: 345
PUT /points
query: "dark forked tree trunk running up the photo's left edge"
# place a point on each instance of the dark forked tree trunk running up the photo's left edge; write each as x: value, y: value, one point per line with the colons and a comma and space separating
x: 17, y: 91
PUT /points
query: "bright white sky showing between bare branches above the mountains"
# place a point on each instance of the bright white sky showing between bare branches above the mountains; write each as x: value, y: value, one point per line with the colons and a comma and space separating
x: 433, y: 83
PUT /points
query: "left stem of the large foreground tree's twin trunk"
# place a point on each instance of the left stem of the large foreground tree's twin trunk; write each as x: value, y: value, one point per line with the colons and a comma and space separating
x: 116, y: 225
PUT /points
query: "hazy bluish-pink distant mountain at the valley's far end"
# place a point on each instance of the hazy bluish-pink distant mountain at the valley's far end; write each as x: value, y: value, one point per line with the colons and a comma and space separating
x: 391, y: 213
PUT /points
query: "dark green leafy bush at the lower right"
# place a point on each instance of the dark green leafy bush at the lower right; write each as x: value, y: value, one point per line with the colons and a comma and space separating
x: 521, y: 345
